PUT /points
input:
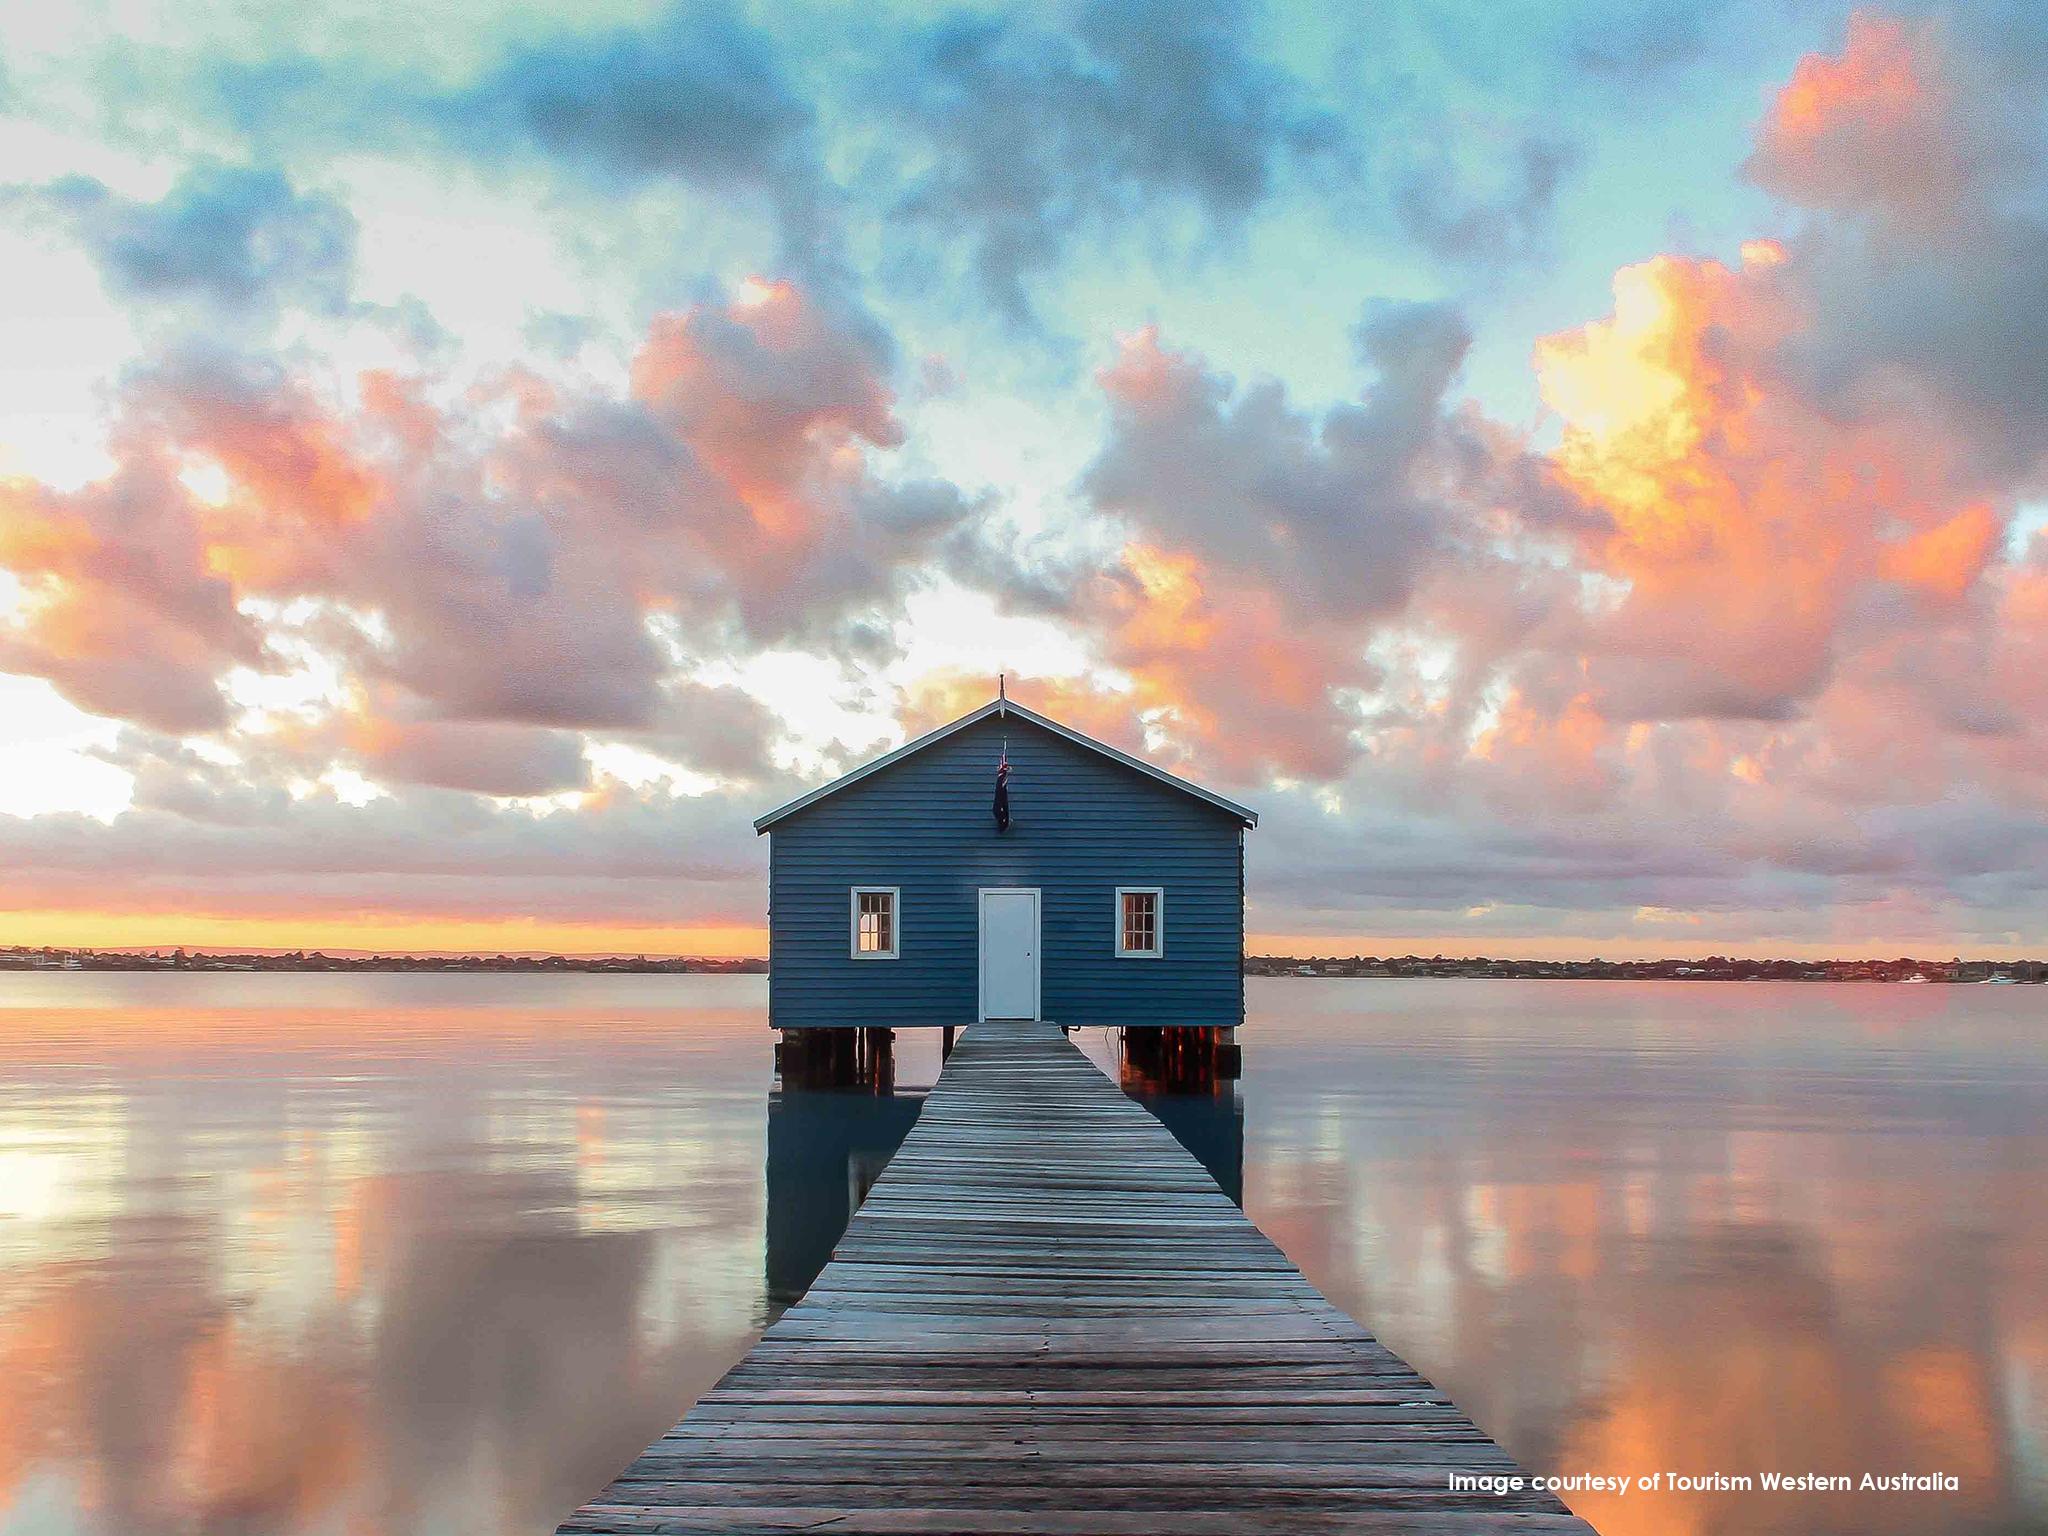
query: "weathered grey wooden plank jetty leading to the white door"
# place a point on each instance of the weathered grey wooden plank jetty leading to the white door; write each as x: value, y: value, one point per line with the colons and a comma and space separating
x: 1048, y: 1318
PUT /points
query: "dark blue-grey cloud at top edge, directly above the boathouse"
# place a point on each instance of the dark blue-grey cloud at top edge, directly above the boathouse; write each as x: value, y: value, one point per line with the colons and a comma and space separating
x: 1029, y: 138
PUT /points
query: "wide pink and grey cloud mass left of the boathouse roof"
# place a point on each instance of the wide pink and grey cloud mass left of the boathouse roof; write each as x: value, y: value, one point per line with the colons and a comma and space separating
x: 493, y: 574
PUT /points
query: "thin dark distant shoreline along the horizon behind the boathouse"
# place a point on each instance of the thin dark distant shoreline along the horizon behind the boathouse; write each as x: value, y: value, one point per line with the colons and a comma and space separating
x: 1256, y: 966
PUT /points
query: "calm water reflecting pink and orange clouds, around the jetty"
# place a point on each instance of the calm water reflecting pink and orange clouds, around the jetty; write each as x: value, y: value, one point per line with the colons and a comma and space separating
x: 439, y: 1254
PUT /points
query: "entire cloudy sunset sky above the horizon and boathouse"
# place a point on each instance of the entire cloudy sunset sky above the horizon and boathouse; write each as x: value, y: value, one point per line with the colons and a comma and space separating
x: 1576, y: 470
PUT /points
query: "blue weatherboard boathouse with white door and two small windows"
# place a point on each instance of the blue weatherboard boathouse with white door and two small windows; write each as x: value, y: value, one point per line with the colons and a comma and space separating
x: 1097, y: 890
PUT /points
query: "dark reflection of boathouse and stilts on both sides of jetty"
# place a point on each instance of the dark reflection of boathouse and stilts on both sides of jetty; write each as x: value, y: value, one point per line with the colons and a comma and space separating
x: 828, y: 1146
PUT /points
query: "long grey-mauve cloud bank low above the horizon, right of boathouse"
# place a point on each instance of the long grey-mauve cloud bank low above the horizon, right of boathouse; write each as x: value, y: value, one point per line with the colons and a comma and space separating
x: 1394, y: 863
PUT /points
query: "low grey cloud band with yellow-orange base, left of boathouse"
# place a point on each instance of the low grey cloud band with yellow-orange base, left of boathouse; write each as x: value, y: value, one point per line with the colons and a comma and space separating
x: 626, y: 857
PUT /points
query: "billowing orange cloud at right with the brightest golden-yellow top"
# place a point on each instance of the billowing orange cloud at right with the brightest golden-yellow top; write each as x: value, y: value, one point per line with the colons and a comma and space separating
x: 1746, y: 521
